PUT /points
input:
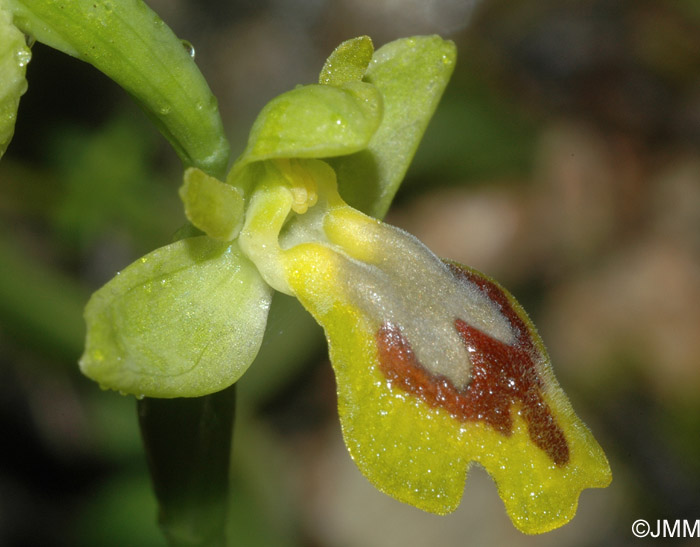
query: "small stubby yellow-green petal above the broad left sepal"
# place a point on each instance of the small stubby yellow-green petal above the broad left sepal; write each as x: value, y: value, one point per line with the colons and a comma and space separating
x: 214, y: 207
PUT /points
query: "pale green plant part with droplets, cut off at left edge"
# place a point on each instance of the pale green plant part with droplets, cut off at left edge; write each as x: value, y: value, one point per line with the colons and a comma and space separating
x: 14, y: 56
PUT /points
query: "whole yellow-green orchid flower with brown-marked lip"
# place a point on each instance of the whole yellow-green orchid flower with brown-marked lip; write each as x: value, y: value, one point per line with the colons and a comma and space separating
x: 437, y: 365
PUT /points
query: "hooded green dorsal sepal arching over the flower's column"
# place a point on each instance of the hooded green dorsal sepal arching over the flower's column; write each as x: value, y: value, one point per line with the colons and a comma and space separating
x: 315, y: 121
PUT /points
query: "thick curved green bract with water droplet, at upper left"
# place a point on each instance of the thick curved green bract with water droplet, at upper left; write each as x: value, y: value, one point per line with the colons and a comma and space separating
x: 131, y: 44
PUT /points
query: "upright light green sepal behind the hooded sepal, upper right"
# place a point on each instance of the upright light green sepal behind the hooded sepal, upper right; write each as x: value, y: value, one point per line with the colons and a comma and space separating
x: 411, y: 75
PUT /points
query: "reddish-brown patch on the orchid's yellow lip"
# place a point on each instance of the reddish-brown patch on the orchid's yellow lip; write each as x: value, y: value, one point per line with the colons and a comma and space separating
x: 502, y: 375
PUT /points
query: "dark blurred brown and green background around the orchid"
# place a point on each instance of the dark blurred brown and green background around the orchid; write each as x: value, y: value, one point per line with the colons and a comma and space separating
x: 564, y: 161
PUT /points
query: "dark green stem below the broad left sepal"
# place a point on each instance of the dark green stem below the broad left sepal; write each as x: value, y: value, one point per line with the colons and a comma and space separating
x: 188, y: 446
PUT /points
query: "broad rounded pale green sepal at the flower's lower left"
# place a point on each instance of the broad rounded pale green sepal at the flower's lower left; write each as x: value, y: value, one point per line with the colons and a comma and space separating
x: 183, y: 321
